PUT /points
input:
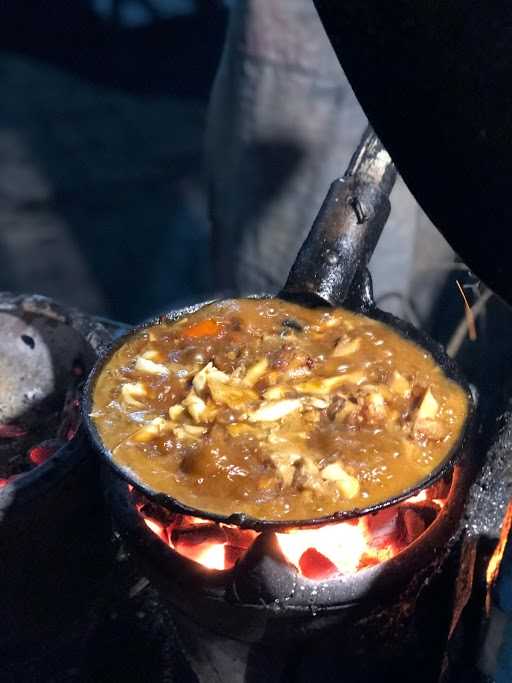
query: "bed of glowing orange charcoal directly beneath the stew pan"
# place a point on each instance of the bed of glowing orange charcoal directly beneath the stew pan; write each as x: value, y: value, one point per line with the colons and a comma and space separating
x: 318, y: 553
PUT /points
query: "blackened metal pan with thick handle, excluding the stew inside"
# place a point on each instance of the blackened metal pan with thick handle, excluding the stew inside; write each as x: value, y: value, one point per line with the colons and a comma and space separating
x: 330, y: 269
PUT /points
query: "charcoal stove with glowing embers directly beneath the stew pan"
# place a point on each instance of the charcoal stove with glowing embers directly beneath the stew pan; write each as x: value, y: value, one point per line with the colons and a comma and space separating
x: 273, y: 597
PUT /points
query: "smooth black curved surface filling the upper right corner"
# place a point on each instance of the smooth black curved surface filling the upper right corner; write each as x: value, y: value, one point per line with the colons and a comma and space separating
x: 434, y: 80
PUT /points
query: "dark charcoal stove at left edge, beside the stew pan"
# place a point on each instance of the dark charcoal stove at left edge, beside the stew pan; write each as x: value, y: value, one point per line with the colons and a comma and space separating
x: 54, y: 535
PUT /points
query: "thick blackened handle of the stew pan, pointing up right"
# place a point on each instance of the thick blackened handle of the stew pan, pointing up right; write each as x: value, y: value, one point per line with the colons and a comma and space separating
x: 330, y: 266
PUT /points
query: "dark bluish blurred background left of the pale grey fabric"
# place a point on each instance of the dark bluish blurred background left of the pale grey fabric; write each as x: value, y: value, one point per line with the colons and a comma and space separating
x: 102, y: 113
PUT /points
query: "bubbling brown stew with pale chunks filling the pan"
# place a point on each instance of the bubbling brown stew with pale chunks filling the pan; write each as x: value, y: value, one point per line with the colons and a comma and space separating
x: 281, y: 412
